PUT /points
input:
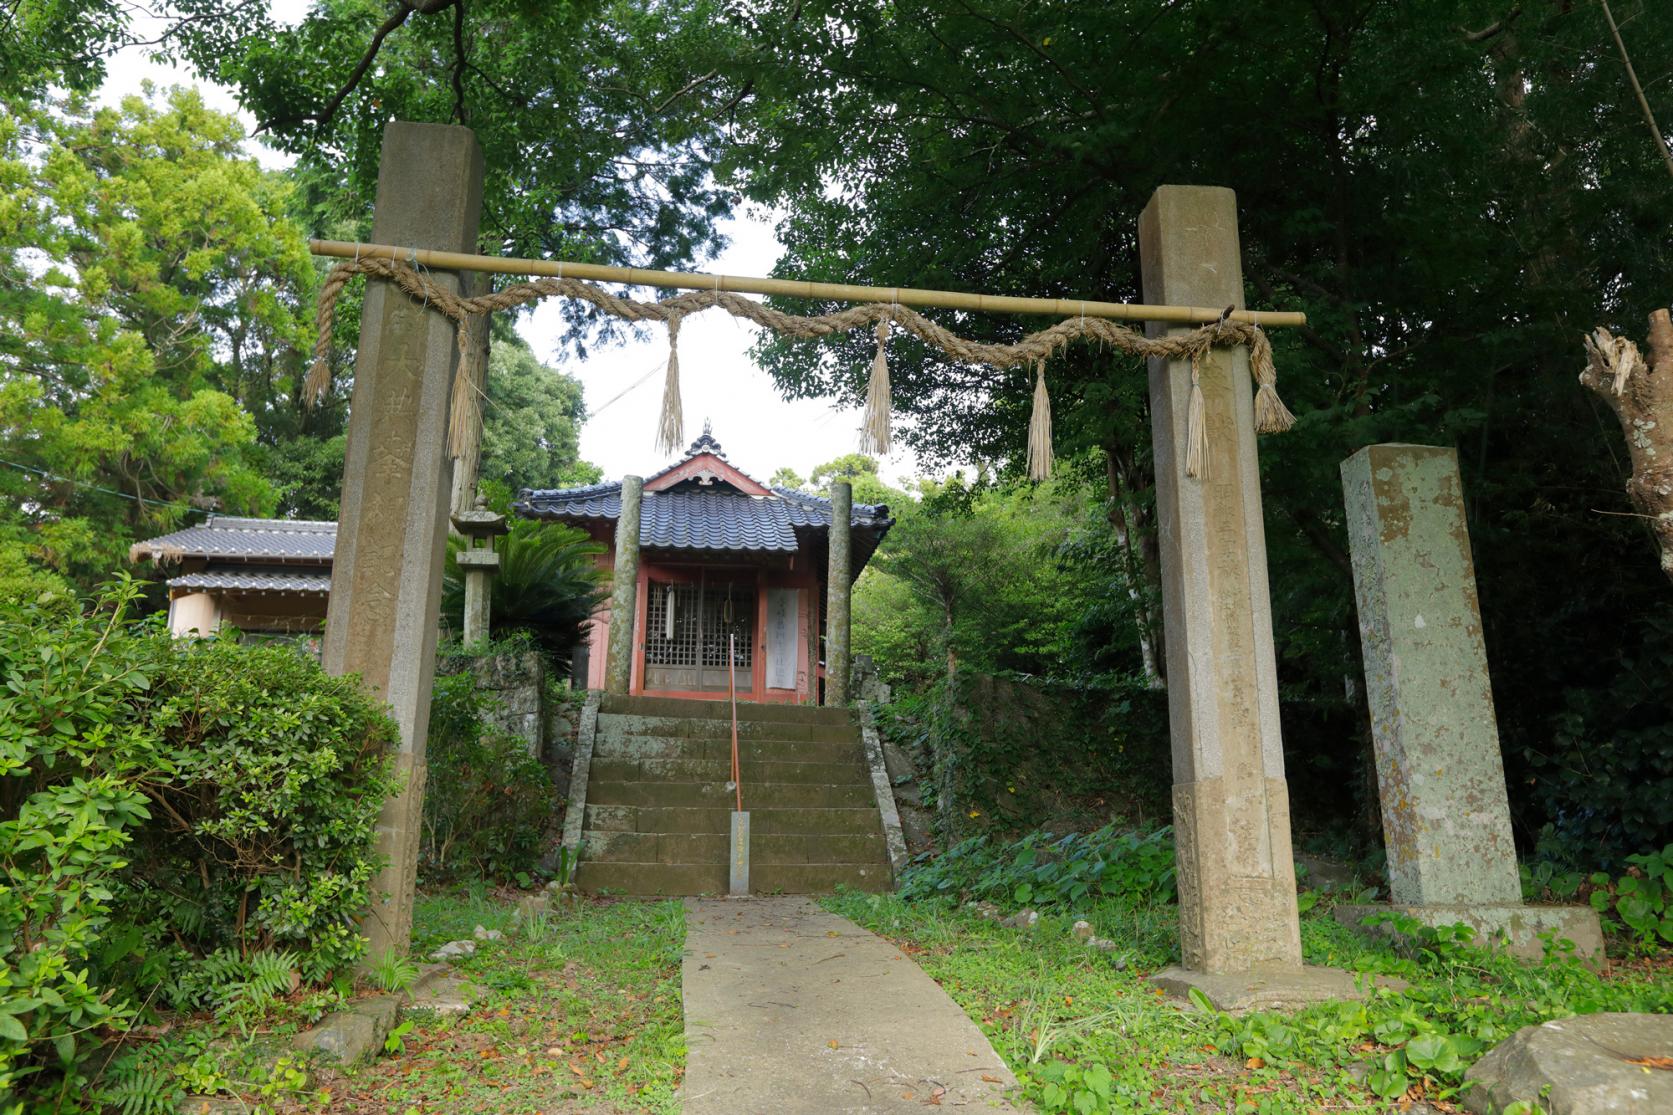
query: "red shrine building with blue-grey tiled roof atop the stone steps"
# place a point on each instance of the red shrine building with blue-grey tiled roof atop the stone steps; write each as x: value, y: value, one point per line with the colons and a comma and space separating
x: 732, y: 578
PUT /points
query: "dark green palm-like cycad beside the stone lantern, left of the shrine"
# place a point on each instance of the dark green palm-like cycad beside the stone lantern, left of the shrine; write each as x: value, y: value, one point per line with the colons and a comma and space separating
x: 548, y: 583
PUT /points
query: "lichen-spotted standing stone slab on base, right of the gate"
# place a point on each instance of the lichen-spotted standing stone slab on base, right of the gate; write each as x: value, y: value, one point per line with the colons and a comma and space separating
x: 1446, y: 816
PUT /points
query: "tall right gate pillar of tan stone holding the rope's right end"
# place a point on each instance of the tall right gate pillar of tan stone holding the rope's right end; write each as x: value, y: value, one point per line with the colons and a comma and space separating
x: 1230, y: 803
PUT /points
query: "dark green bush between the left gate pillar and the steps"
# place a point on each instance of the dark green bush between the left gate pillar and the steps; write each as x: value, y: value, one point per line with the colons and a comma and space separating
x: 488, y: 801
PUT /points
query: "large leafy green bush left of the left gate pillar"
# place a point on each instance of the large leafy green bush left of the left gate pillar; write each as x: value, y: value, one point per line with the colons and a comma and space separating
x: 178, y: 820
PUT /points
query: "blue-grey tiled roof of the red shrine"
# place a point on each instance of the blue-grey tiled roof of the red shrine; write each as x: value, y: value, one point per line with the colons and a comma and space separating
x: 703, y: 520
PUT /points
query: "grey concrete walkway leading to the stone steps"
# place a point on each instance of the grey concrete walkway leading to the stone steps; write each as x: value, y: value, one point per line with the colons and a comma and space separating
x: 796, y: 1010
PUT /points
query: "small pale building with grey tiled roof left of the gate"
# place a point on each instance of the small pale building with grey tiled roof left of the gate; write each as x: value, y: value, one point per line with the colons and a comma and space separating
x: 265, y: 577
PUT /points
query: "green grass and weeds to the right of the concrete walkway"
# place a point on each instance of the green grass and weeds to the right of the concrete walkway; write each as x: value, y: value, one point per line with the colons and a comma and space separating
x: 1087, y: 1034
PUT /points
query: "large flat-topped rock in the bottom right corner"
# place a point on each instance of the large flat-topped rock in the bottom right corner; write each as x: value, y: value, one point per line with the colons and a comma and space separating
x: 1590, y: 1066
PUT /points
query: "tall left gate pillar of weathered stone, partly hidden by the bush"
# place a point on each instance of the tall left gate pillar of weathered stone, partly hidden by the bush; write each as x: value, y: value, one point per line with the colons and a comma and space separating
x: 397, y: 478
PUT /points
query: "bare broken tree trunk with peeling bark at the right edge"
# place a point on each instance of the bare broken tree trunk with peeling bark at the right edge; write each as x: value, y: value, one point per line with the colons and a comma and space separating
x: 1642, y: 398
